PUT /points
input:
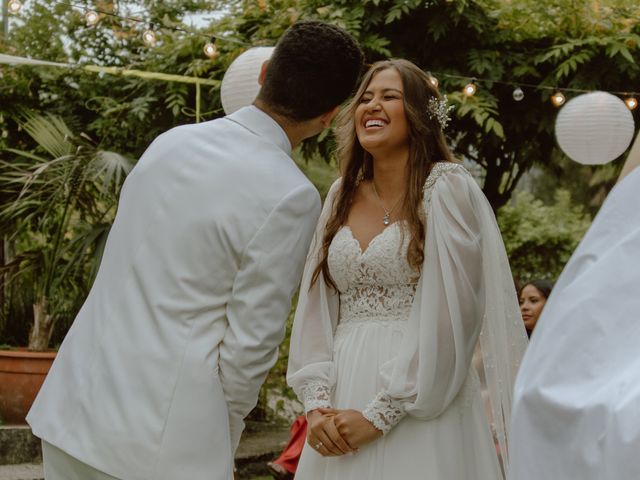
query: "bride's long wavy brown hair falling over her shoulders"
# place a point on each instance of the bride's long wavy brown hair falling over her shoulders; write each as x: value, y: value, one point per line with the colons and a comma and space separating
x: 427, y: 145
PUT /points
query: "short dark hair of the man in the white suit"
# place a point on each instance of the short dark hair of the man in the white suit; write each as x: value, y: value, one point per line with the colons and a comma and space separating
x: 313, y: 69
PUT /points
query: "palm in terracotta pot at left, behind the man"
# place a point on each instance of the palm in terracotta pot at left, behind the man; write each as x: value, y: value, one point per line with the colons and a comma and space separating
x: 57, y: 204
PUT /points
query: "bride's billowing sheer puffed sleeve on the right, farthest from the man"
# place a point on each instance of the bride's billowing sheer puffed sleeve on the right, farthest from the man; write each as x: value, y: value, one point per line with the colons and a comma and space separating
x: 464, y: 279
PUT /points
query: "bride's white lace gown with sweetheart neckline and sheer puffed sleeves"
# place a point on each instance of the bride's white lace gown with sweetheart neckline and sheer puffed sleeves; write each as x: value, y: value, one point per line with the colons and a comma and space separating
x: 399, y: 348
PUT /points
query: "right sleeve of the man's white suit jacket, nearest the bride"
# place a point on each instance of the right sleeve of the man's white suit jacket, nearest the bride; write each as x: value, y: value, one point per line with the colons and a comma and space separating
x: 269, y: 273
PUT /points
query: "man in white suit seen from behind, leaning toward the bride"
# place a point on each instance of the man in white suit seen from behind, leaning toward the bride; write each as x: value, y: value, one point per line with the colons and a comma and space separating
x: 169, y: 351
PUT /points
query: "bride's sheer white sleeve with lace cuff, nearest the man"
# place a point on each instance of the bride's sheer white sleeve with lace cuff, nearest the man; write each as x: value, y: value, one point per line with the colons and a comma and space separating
x: 311, y: 372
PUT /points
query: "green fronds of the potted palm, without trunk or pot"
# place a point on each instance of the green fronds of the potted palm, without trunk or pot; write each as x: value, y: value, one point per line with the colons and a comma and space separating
x: 60, y: 208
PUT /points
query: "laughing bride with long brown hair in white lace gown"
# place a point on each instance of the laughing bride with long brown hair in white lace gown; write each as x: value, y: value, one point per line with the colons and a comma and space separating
x: 406, y: 275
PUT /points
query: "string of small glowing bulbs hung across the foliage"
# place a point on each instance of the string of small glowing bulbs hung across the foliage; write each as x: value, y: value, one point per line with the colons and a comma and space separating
x: 150, y: 38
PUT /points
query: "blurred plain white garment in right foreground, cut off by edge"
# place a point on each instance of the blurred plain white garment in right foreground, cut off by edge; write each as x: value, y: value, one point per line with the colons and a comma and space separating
x: 577, y: 397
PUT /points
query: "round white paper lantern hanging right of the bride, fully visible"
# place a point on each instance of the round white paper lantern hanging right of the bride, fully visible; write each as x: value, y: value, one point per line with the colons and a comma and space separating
x: 594, y: 128
